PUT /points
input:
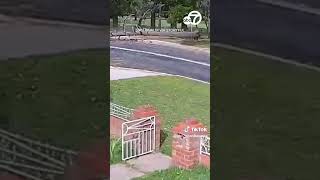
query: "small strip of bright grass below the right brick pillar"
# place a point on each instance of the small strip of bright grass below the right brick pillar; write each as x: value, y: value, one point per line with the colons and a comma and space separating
x: 199, y: 173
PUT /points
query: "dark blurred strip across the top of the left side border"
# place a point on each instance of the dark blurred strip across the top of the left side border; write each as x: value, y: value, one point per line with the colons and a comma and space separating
x: 81, y: 11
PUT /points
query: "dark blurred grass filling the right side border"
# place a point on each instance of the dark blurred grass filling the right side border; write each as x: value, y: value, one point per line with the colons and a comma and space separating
x: 266, y: 118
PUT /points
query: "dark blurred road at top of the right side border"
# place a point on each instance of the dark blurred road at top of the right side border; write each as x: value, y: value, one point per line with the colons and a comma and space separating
x: 269, y: 29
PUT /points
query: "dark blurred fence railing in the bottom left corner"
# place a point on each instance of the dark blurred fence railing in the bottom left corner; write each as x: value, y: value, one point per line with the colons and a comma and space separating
x: 32, y: 159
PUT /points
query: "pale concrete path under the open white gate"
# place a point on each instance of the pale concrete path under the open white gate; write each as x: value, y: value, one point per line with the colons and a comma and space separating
x: 140, y: 166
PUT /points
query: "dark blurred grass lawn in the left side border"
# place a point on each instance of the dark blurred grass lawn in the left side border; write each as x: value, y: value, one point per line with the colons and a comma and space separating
x: 58, y: 98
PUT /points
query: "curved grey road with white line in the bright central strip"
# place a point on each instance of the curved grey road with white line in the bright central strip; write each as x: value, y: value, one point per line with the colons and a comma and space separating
x: 191, y: 64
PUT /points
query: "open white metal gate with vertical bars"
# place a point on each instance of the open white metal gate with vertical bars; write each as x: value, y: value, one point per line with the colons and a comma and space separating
x: 138, y: 137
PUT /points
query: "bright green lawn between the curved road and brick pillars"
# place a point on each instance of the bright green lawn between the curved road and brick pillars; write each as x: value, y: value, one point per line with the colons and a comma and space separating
x: 175, y: 98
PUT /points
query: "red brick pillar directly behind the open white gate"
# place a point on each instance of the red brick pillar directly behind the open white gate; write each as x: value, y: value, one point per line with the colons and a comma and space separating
x: 147, y: 111
